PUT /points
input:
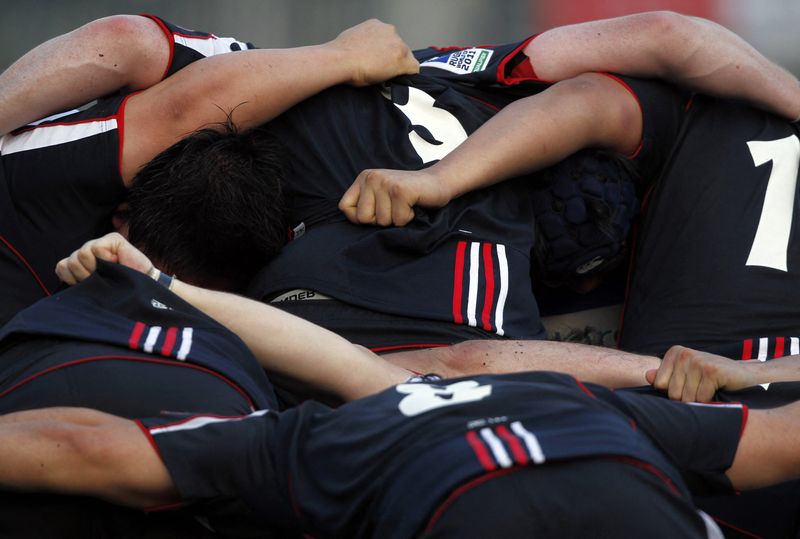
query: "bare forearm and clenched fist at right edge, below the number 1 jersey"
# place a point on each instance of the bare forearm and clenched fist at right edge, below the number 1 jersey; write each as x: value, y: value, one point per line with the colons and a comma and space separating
x: 690, y: 375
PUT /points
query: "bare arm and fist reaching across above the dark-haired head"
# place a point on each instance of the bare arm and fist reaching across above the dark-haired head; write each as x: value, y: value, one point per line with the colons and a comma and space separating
x: 256, y: 86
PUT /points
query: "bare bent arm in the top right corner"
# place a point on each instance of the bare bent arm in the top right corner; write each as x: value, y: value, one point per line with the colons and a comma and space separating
x: 694, y: 52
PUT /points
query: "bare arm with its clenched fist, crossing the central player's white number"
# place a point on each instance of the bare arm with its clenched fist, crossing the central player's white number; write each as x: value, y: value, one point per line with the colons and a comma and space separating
x: 530, y: 134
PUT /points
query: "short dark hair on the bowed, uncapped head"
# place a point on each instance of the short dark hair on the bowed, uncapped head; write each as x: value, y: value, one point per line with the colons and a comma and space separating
x: 211, y: 208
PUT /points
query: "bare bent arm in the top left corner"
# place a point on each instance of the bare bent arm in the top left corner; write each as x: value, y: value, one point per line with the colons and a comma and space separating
x: 70, y: 70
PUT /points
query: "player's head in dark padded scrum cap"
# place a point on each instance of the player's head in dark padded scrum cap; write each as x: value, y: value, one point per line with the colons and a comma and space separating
x: 584, y: 208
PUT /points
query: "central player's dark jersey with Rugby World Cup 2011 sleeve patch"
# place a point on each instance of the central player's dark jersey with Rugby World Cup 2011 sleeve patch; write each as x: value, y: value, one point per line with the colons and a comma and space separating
x: 467, y: 263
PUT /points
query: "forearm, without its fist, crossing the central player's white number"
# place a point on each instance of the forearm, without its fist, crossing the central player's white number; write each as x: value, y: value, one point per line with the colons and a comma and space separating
x: 538, y: 131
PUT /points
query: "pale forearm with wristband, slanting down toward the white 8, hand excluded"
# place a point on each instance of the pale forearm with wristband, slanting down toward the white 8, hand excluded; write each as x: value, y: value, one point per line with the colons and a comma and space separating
x: 296, y: 348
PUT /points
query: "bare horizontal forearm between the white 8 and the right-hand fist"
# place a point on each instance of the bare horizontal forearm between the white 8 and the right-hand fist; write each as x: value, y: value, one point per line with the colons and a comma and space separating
x: 606, y: 366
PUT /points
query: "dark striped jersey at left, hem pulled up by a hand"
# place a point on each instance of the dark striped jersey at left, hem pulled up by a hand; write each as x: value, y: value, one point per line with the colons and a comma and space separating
x: 119, y: 315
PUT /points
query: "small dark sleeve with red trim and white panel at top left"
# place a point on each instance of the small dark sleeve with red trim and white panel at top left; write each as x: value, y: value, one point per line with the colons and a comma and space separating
x: 187, y: 46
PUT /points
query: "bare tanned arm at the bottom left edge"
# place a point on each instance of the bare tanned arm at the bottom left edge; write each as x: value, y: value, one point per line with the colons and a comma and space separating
x: 85, y: 452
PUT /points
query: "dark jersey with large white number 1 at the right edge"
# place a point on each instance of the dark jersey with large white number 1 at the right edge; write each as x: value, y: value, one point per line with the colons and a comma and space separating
x: 718, y: 254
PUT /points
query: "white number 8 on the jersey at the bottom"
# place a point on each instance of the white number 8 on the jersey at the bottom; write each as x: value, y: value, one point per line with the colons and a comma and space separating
x: 423, y: 398
